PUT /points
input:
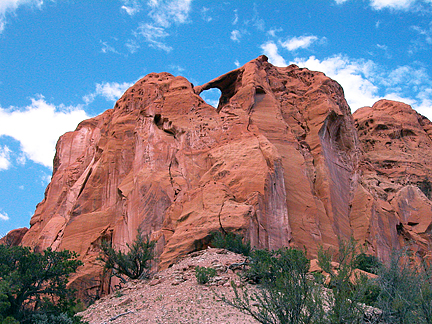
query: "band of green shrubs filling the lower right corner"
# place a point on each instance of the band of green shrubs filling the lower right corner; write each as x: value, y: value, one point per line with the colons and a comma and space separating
x: 401, y: 292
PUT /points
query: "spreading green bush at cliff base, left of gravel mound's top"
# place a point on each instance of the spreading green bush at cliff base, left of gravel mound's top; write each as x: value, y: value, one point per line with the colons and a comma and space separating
x: 134, y: 263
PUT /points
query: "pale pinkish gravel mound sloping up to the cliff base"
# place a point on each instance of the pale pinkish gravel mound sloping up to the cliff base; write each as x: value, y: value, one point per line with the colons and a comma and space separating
x: 174, y: 296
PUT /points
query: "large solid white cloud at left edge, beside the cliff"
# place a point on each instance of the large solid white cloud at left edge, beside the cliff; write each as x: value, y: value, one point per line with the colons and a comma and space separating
x: 38, y: 126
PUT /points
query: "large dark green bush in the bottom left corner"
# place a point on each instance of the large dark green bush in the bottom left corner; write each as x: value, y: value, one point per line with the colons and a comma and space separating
x: 35, y: 283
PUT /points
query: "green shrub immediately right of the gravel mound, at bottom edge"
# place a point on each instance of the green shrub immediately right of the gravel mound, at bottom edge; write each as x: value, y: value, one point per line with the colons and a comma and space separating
x: 284, y: 293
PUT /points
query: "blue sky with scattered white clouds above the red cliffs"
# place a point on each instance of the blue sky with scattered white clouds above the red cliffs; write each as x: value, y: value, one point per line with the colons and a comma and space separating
x: 62, y: 61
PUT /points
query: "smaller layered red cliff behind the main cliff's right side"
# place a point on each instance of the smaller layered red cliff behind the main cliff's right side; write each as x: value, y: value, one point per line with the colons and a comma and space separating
x: 396, y: 176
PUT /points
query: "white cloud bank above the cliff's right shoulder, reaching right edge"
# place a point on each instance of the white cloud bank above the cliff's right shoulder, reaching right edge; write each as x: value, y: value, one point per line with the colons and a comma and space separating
x: 364, y: 82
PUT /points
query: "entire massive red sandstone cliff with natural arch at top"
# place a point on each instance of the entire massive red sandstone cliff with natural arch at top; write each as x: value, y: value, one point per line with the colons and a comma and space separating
x: 279, y: 161
